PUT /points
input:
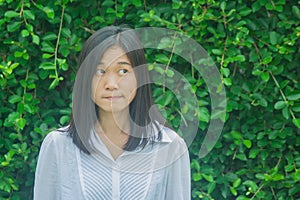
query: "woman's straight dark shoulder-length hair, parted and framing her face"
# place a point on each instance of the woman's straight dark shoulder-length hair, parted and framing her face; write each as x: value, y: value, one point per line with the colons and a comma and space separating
x: 85, y: 111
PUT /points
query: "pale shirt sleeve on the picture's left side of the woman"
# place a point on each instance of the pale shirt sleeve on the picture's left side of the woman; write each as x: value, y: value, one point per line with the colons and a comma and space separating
x: 46, y: 175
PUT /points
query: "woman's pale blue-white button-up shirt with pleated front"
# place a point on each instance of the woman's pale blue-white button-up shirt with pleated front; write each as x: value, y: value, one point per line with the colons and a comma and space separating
x: 158, y: 171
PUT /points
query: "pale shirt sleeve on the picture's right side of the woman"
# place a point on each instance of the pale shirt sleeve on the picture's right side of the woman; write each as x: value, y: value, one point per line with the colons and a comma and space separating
x: 179, y: 181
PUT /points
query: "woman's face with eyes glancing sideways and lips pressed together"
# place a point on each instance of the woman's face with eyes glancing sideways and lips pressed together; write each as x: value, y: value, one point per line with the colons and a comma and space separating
x: 114, y: 82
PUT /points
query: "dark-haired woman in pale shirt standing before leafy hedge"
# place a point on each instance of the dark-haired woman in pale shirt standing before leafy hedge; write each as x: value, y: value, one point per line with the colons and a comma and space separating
x: 116, y: 146
